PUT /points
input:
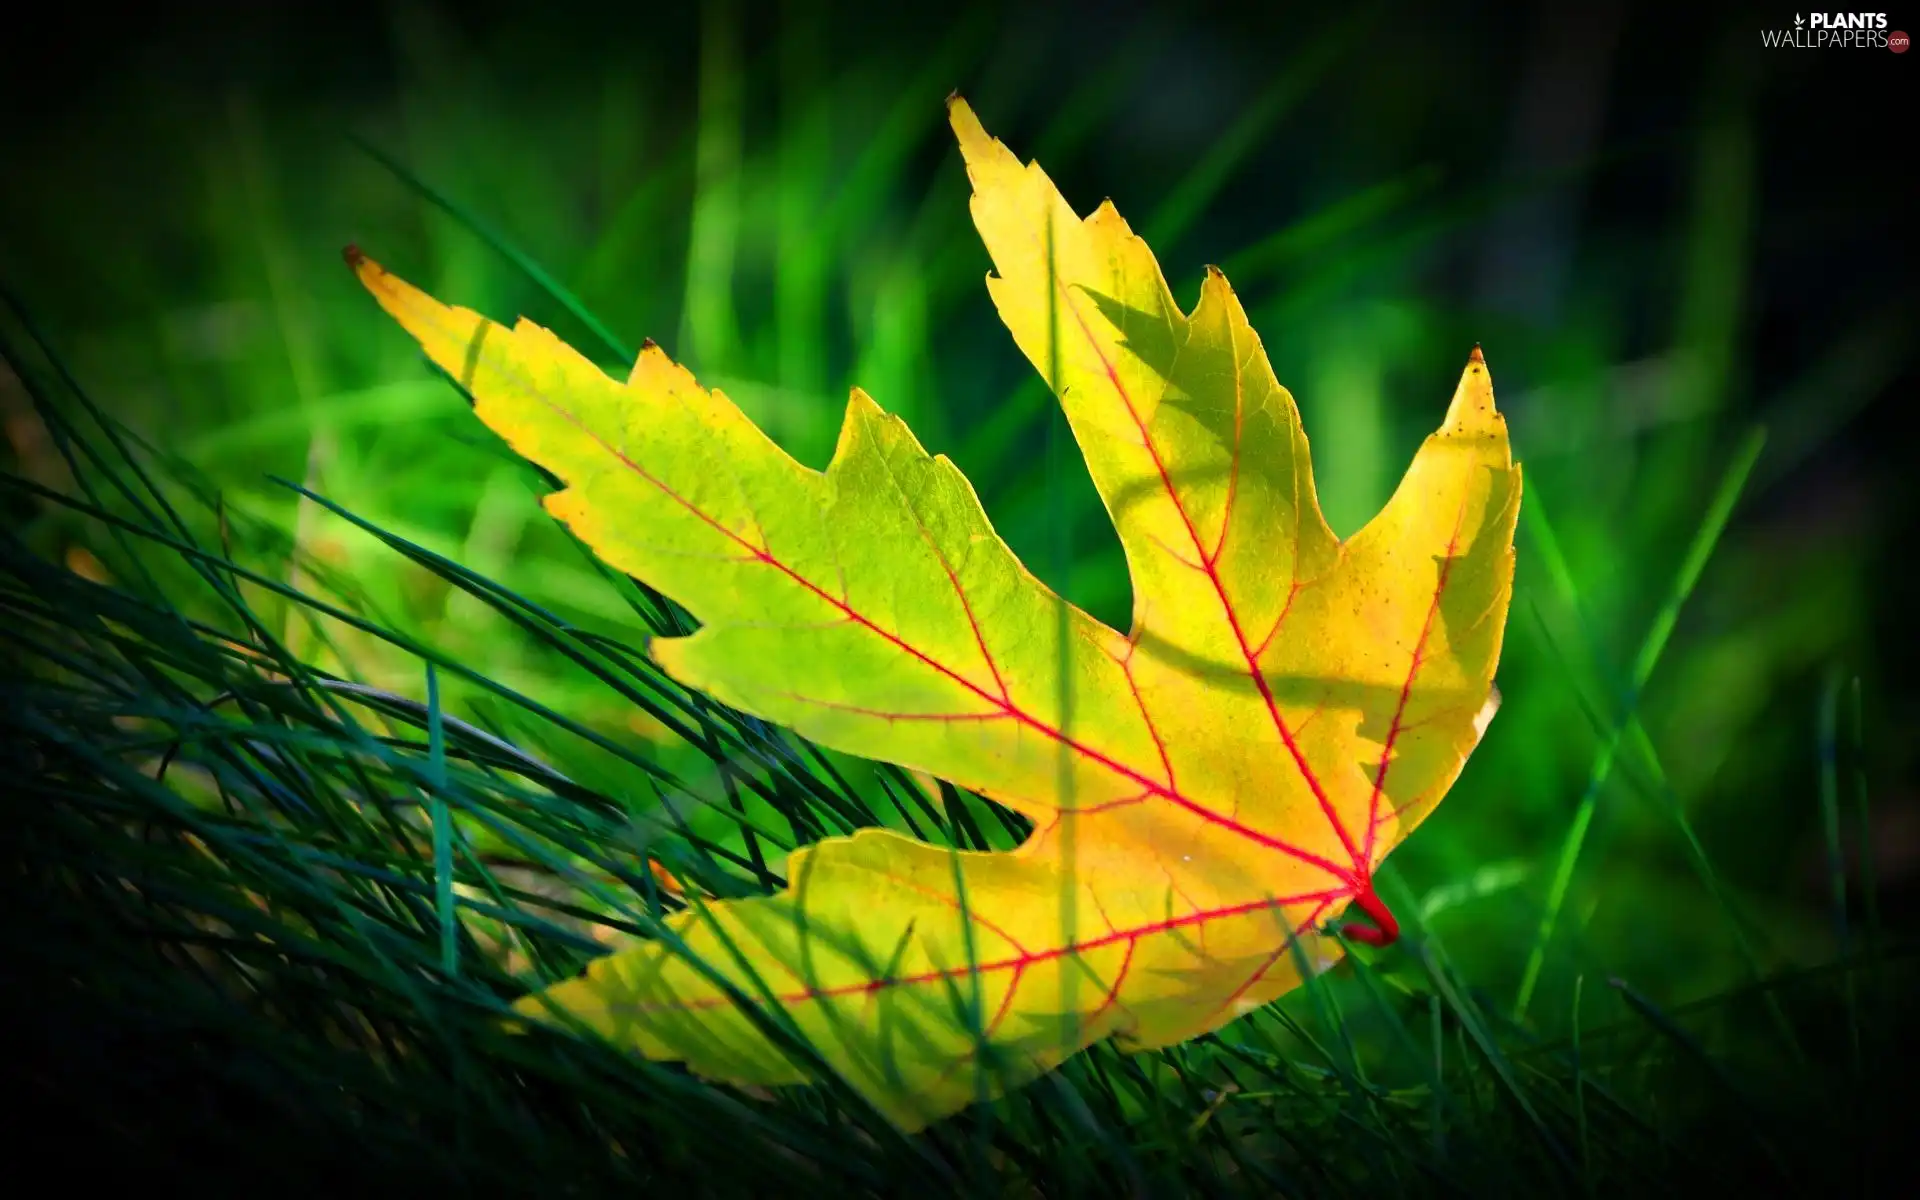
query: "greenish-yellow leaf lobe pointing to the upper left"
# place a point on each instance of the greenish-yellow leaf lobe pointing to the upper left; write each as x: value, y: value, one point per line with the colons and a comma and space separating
x: 871, y: 608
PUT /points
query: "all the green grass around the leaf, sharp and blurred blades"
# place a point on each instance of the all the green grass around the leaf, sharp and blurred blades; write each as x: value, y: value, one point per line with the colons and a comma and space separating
x: 333, y: 742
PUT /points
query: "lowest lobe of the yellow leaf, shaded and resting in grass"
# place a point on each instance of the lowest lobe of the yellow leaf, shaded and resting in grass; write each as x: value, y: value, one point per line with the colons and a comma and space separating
x: 928, y: 976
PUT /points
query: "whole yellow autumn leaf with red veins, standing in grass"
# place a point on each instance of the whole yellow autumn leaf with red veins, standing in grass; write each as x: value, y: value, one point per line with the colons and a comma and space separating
x: 1207, y: 790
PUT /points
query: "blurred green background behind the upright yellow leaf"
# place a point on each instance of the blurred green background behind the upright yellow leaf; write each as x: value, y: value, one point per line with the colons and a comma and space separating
x: 1664, y: 235
